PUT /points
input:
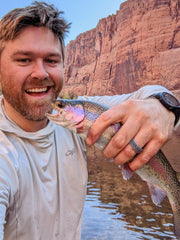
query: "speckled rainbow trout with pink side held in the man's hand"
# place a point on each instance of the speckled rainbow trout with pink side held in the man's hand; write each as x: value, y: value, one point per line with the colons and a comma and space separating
x: 79, y: 115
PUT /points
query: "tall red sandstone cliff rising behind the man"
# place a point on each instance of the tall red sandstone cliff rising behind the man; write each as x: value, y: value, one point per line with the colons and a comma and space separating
x: 139, y: 45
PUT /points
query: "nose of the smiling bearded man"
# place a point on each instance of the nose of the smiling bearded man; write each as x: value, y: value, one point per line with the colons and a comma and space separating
x: 39, y: 70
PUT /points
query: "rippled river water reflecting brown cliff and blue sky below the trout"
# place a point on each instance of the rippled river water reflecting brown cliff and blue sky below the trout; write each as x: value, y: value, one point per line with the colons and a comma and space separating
x: 116, y: 209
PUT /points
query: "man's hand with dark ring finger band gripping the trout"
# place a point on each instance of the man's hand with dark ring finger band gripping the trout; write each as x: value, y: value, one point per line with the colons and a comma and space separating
x: 147, y: 121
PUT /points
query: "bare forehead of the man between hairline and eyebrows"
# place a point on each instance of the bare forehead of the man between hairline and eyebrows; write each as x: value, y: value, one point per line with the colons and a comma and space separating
x: 35, y: 39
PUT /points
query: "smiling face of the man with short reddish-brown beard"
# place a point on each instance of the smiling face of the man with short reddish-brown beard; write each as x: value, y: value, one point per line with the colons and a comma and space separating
x: 31, y: 73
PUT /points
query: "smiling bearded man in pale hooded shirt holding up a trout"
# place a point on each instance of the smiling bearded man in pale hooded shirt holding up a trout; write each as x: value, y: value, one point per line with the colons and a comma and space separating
x: 43, y: 171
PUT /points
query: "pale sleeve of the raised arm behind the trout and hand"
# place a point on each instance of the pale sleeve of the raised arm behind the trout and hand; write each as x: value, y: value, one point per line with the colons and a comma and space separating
x: 142, y: 93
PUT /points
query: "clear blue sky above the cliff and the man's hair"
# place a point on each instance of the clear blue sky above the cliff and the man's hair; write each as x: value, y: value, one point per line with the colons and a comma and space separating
x: 83, y: 14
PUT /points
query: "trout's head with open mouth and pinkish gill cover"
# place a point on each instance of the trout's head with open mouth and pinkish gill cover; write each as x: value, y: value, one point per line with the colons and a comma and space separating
x: 67, y: 113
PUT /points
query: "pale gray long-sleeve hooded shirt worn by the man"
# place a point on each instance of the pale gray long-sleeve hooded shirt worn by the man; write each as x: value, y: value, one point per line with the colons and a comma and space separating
x: 43, y: 177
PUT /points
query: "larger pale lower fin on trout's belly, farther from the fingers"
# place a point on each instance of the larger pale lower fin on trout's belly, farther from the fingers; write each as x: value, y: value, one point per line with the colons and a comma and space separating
x: 157, y: 195
